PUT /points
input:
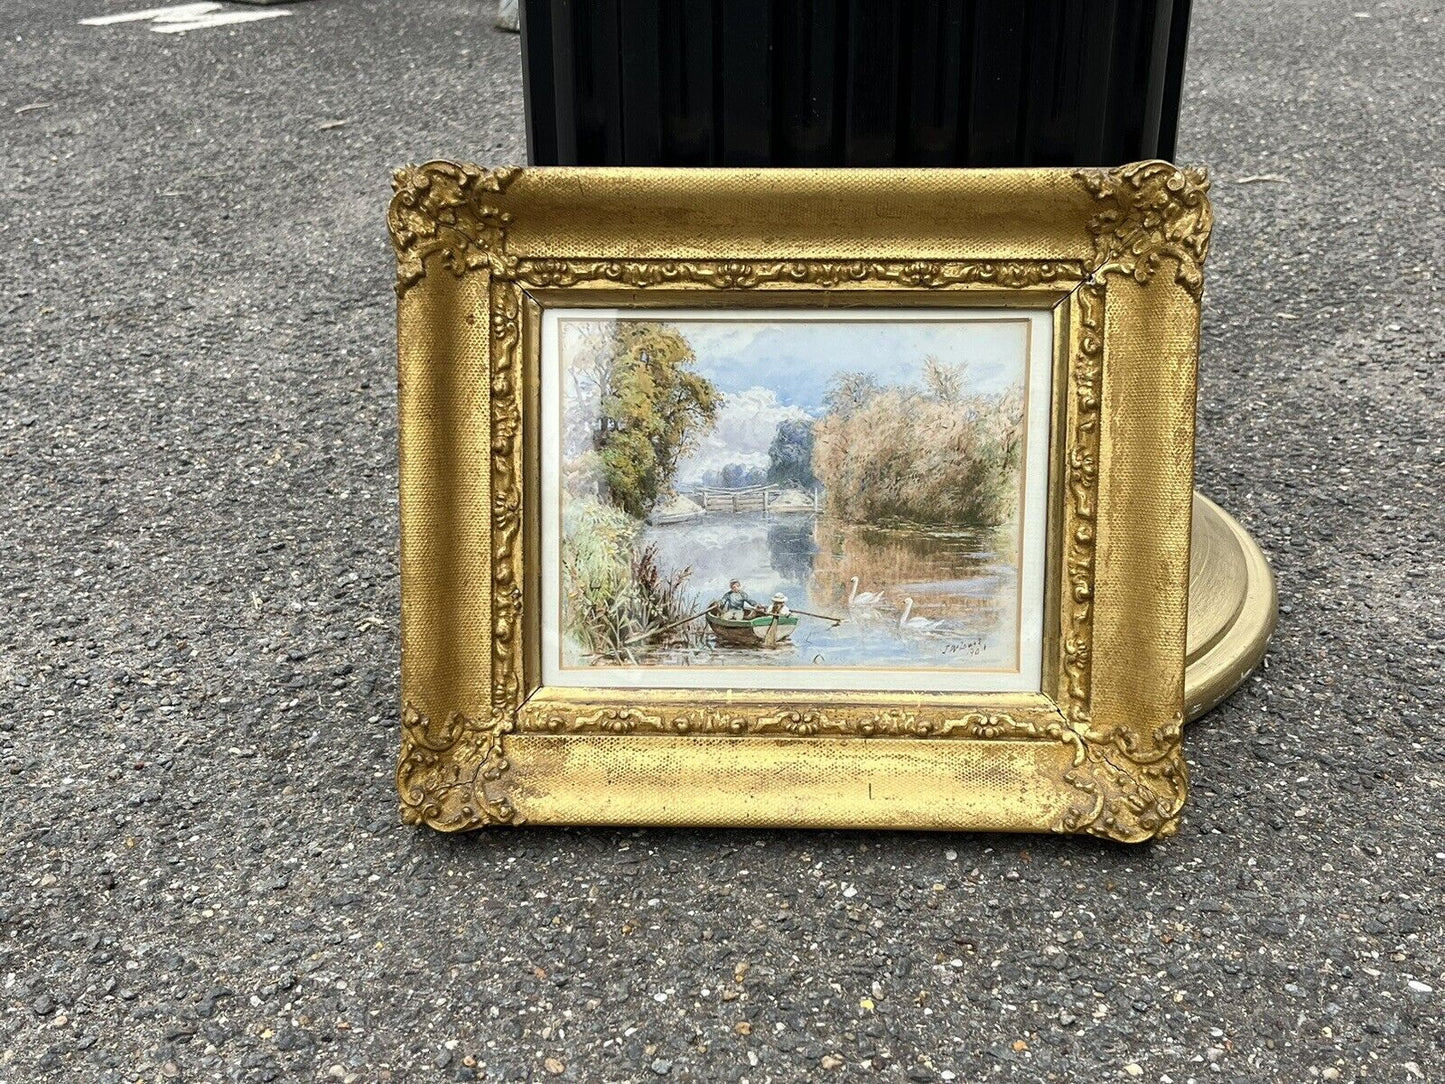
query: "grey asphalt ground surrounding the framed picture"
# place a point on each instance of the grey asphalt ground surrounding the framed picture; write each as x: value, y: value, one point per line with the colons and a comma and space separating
x: 204, y: 877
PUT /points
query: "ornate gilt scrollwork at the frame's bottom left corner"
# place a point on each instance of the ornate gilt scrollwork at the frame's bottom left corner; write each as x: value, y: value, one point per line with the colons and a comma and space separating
x: 447, y: 767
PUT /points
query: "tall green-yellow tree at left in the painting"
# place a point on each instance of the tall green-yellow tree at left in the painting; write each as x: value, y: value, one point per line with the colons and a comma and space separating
x: 654, y: 408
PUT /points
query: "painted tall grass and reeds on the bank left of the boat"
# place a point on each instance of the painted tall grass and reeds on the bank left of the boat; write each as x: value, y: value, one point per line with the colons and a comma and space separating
x: 615, y: 590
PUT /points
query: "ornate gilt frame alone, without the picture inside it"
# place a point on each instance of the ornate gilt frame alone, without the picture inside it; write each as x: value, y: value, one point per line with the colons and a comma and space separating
x: 1116, y: 255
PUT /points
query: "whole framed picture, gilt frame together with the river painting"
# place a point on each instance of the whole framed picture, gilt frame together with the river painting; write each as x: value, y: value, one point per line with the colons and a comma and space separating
x: 570, y: 653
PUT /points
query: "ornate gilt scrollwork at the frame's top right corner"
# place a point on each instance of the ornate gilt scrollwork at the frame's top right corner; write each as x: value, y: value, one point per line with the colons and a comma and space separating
x: 1154, y: 212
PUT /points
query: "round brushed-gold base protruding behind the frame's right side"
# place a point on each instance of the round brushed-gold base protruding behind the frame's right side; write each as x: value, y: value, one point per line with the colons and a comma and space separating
x: 1233, y: 608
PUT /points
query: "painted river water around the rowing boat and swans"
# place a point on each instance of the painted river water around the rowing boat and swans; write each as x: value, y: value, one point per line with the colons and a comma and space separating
x: 963, y: 585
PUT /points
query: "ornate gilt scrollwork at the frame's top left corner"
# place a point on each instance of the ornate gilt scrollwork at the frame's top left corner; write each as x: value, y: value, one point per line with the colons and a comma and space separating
x: 450, y: 210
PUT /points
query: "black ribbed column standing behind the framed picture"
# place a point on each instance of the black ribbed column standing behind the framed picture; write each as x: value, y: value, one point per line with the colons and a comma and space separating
x: 863, y: 83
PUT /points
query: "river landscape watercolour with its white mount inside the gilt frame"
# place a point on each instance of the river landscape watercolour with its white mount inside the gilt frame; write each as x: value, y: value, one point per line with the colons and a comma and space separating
x: 795, y: 499
